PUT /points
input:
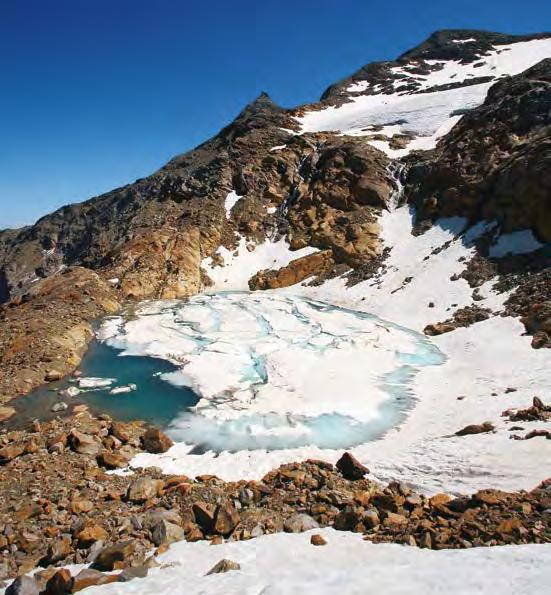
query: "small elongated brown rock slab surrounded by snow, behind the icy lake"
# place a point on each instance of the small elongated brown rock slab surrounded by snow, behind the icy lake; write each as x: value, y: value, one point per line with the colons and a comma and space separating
x: 296, y: 271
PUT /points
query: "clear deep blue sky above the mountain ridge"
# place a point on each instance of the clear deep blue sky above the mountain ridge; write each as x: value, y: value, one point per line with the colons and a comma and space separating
x: 96, y: 93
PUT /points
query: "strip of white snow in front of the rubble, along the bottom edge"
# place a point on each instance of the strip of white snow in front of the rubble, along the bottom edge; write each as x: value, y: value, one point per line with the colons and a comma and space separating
x: 285, y: 563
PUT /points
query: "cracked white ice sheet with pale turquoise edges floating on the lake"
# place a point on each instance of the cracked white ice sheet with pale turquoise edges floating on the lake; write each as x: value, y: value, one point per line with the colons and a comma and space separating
x: 276, y: 371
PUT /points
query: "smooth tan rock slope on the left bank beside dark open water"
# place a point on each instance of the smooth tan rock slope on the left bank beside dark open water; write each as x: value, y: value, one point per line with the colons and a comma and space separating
x: 44, y: 336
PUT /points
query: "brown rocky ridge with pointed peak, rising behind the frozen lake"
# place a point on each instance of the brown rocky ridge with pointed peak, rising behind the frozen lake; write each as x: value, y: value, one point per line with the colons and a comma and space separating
x: 151, y: 235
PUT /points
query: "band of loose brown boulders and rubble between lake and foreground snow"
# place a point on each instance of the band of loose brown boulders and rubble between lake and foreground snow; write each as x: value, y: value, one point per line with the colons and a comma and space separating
x: 62, y: 506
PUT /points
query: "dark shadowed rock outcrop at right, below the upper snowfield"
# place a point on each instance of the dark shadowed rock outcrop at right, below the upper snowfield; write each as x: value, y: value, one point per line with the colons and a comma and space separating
x: 496, y: 162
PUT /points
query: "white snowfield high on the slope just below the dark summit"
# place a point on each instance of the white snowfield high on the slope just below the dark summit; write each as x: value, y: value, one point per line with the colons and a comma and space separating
x: 428, y: 113
